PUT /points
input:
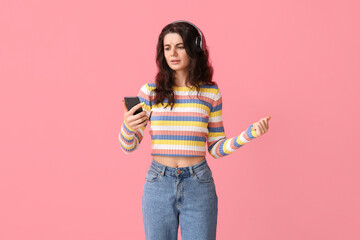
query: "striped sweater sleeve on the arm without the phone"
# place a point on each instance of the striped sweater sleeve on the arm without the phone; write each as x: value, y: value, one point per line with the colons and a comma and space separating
x: 218, y: 144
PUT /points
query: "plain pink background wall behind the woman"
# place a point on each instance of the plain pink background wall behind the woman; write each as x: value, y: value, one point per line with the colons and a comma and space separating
x: 66, y: 65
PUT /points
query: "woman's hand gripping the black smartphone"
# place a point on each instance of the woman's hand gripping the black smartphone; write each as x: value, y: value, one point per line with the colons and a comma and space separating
x: 135, y: 121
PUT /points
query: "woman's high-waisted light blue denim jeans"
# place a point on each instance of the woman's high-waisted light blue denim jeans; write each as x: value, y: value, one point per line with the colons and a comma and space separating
x: 186, y: 195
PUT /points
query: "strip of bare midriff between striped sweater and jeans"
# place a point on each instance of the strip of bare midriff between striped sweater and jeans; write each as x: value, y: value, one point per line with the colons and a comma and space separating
x: 177, y: 162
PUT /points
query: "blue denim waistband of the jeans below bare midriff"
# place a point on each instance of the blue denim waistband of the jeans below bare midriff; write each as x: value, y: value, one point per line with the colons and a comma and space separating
x: 183, y: 171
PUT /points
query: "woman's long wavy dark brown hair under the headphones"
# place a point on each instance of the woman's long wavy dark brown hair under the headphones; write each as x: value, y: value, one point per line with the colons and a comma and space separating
x: 200, y: 68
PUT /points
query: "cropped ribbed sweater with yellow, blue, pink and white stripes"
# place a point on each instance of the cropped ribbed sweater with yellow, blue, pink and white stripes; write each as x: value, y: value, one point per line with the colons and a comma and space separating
x: 184, y: 130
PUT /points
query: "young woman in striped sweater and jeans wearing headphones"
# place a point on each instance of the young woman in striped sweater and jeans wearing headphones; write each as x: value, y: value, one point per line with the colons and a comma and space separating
x: 184, y: 107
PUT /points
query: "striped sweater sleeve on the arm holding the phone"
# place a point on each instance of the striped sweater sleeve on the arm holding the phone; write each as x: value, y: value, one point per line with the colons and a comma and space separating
x: 130, y: 139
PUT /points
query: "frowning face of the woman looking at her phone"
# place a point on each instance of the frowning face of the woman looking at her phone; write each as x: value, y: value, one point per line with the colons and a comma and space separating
x: 174, y: 50
